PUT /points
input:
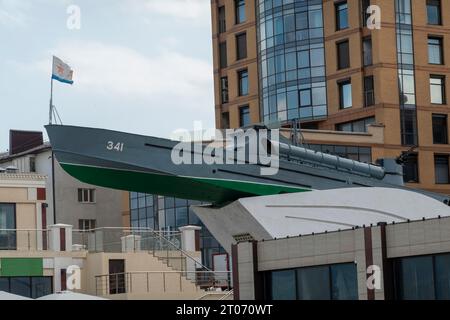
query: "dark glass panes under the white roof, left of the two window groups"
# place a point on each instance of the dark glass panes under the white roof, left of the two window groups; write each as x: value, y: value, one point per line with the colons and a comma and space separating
x: 330, y: 282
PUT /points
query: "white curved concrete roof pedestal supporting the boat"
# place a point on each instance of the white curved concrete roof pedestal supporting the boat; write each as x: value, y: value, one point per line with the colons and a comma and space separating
x: 280, y: 216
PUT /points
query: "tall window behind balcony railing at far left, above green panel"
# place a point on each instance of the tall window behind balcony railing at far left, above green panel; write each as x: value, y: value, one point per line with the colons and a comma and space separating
x: 7, y: 221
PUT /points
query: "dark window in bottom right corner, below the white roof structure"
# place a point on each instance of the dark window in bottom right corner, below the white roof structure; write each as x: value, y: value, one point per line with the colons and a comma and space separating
x: 422, y: 277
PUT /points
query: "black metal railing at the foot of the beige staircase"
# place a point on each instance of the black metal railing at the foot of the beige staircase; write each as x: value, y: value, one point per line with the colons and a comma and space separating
x: 161, y: 282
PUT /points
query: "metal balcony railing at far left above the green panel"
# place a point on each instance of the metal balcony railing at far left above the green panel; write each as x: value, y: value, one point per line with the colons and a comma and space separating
x: 24, y: 239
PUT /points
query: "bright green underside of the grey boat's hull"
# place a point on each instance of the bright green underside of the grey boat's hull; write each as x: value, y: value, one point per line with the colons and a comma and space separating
x: 207, y: 190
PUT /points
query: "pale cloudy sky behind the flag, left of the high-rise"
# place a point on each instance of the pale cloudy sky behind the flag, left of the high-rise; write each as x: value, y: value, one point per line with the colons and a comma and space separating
x: 141, y: 66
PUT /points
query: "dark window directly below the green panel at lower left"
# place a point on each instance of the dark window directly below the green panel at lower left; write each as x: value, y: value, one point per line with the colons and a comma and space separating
x: 31, y: 287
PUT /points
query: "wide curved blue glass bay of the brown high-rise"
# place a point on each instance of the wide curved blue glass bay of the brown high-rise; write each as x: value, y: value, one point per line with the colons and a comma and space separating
x: 292, y: 60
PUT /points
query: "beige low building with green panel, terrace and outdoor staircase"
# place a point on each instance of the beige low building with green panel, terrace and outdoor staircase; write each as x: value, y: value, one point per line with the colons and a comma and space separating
x: 38, y: 259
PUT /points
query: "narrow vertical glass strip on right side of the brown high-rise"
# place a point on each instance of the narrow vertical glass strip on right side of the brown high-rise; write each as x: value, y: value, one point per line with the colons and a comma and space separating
x: 405, y: 59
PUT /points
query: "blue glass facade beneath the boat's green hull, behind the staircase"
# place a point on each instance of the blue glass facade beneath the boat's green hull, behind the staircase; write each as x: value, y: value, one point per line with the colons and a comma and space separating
x: 168, y: 214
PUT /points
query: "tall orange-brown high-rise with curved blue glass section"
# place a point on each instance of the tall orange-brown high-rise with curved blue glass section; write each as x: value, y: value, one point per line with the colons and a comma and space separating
x: 317, y: 62
